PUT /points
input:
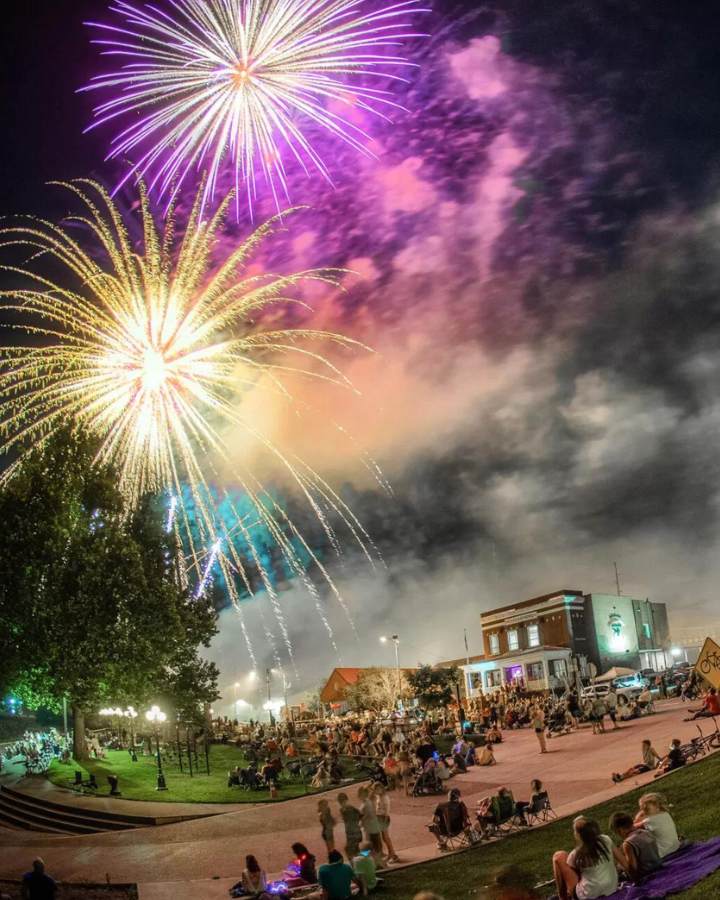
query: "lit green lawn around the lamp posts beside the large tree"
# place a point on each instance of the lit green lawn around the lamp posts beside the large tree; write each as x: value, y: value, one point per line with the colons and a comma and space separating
x: 138, y: 780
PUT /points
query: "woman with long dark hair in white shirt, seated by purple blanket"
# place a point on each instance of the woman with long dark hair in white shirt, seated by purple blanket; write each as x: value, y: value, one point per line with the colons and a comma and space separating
x: 589, y: 870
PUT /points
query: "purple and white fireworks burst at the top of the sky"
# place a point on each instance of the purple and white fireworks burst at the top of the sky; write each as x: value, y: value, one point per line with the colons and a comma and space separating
x: 237, y: 78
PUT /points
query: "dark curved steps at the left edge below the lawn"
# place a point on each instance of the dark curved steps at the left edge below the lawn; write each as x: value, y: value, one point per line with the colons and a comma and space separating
x: 23, y: 811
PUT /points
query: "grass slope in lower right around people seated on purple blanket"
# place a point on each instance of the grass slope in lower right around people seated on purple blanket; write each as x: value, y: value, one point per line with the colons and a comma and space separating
x: 692, y: 792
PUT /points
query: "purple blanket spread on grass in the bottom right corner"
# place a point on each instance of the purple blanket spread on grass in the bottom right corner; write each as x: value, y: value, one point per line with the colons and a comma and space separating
x: 679, y: 871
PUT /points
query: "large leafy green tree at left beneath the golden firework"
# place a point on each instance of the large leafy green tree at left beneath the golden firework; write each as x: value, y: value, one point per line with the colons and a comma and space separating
x: 90, y: 604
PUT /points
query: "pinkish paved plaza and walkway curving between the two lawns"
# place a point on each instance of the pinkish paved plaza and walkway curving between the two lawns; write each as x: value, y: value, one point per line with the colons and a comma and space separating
x: 576, y: 771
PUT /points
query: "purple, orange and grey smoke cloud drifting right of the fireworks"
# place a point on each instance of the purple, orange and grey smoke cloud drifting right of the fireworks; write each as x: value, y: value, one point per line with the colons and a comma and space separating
x: 539, y: 287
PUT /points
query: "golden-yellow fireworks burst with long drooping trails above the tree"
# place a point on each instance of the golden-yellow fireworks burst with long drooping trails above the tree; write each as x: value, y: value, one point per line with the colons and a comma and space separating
x: 151, y: 357
